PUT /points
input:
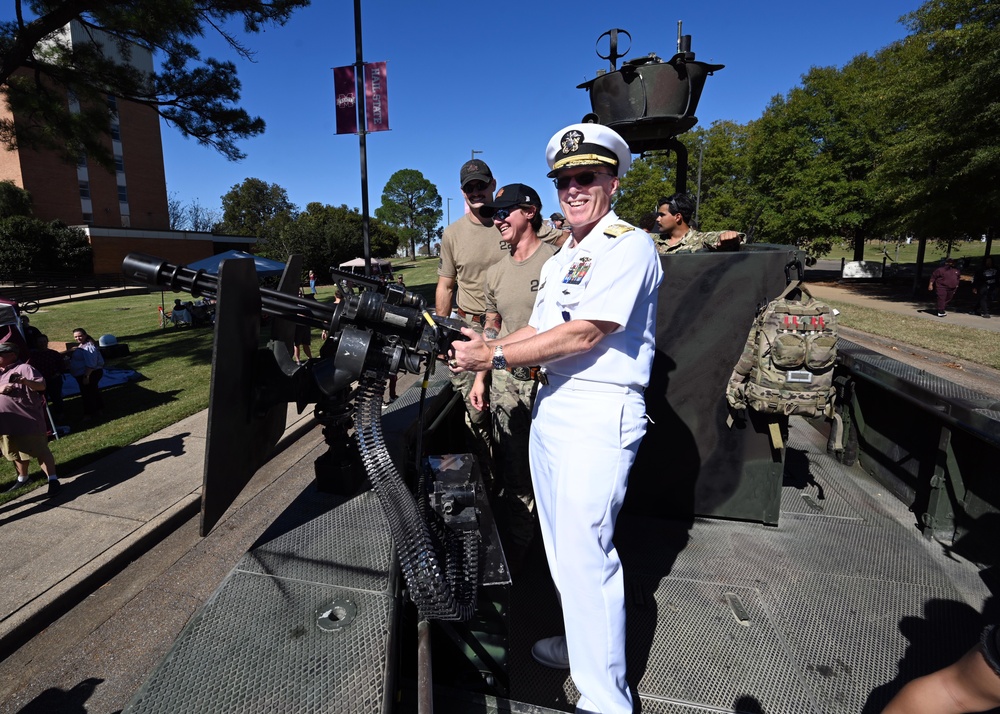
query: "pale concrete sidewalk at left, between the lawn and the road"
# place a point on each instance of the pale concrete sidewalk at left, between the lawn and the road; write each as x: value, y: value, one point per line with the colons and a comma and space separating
x: 54, y: 552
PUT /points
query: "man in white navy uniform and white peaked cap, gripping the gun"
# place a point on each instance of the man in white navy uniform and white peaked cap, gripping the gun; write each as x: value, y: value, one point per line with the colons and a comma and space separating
x: 592, y: 330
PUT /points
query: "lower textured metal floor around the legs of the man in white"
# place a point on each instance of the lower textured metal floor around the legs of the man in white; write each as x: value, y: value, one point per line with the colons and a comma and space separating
x: 831, y: 611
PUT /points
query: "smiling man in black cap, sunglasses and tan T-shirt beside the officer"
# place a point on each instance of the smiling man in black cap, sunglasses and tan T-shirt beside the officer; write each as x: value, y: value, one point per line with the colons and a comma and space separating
x: 511, y: 286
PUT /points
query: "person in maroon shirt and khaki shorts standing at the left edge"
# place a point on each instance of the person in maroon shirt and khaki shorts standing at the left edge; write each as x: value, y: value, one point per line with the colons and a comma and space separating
x: 22, y: 418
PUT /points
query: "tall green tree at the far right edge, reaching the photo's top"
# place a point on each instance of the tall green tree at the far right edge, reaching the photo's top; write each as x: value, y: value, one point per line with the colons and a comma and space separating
x: 941, y: 173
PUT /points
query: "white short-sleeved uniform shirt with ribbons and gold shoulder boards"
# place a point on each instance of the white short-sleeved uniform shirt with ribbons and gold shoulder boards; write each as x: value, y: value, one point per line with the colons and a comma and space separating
x: 609, y: 278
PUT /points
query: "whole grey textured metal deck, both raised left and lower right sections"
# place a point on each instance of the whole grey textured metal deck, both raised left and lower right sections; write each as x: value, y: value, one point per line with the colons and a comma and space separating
x: 831, y: 611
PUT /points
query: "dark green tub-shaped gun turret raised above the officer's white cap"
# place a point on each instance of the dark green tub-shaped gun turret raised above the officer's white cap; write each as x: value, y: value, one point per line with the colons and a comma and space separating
x: 649, y: 101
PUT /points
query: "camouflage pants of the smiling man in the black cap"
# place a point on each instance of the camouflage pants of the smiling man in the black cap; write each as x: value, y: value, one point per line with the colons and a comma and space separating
x: 510, y: 405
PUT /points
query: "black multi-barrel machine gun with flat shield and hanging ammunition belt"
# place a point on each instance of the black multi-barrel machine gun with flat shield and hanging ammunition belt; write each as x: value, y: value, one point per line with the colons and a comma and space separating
x: 380, y: 331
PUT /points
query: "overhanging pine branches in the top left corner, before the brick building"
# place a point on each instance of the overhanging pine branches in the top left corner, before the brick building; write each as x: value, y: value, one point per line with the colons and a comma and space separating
x: 199, y: 96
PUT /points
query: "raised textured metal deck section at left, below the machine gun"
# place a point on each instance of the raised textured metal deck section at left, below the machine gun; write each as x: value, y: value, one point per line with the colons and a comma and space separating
x: 302, y: 624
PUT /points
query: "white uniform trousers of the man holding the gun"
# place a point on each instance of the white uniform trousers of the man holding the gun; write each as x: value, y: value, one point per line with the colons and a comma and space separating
x: 584, y: 437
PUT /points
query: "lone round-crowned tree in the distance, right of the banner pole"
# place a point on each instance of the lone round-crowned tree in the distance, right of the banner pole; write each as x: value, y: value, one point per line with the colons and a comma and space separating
x: 412, y: 205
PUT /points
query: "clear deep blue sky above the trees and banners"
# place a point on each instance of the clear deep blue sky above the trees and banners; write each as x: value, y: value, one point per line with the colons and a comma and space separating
x: 498, y: 79
